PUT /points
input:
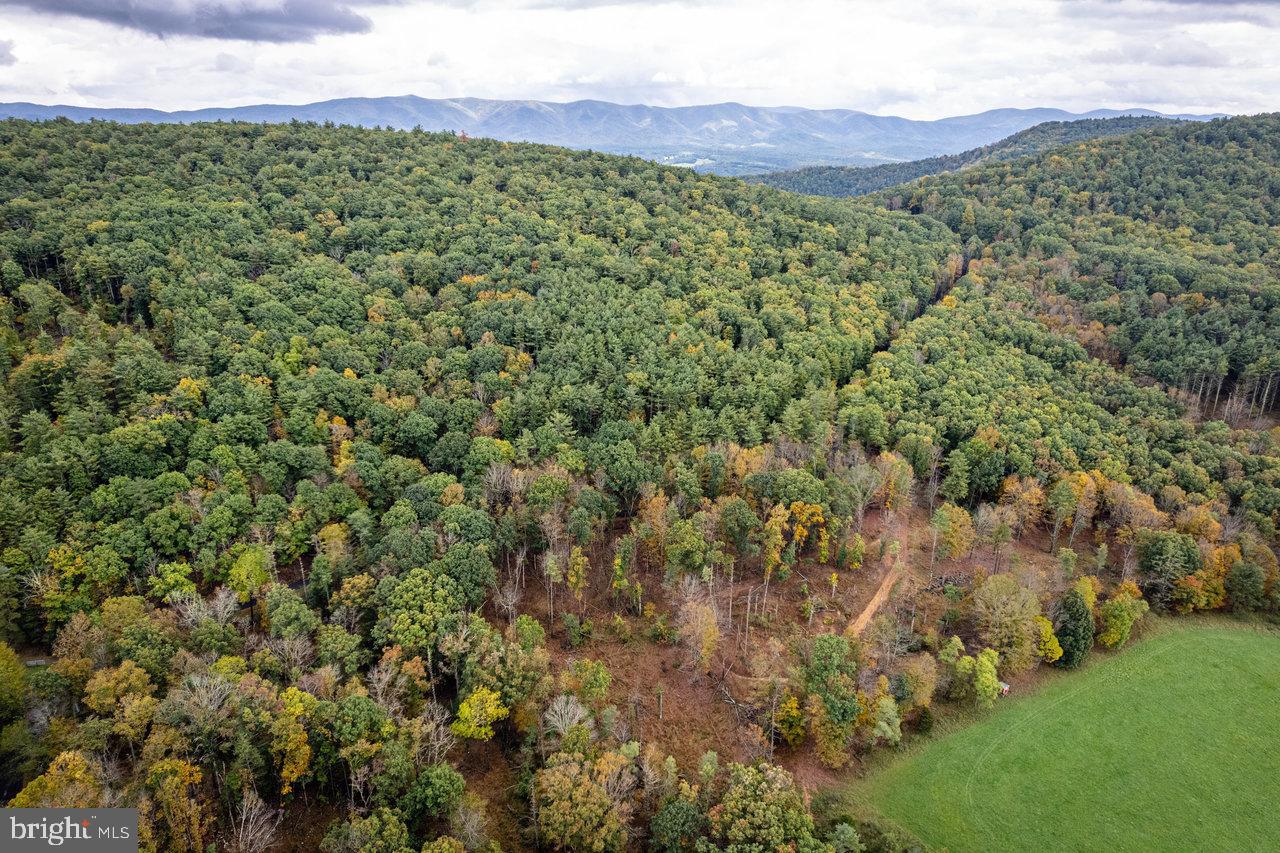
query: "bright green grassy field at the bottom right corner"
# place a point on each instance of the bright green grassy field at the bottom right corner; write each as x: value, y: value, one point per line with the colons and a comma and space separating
x: 1173, y: 745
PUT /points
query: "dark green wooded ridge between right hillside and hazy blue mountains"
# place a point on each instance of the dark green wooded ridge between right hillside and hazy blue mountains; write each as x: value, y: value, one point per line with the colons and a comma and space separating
x: 861, y: 181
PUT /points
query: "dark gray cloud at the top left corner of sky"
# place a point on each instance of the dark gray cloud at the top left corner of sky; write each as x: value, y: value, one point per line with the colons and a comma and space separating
x: 276, y: 21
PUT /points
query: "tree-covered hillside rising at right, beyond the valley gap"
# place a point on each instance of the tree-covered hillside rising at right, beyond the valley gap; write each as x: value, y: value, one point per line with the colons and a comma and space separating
x: 1162, y: 248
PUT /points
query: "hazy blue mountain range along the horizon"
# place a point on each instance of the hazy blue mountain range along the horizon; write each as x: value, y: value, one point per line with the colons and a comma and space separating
x: 729, y: 139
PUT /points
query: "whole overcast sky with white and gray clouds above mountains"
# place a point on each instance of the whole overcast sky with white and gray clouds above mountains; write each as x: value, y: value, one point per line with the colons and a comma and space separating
x: 916, y: 58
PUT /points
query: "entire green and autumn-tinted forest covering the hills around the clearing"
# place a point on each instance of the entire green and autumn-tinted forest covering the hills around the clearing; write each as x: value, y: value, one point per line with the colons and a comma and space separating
x: 369, y: 490
